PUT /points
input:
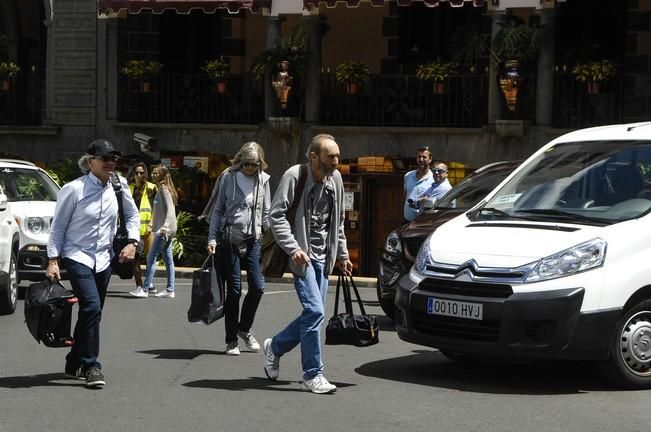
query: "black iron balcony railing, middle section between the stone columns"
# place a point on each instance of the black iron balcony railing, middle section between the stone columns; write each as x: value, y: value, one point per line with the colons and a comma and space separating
x: 404, y: 100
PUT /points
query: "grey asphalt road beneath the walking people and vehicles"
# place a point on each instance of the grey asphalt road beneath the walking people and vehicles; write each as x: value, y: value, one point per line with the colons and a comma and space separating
x: 165, y: 374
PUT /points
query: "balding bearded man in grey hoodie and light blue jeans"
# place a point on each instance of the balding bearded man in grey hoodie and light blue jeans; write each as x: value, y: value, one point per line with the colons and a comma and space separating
x: 315, y: 243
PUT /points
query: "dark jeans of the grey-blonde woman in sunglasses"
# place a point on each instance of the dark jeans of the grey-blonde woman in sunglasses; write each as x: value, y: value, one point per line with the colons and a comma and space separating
x: 231, y: 269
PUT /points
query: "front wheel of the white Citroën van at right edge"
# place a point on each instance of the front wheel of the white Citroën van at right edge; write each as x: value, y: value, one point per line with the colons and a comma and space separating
x: 629, y: 364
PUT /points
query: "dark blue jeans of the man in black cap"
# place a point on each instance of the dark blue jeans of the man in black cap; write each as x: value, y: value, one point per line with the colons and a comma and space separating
x: 90, y: 288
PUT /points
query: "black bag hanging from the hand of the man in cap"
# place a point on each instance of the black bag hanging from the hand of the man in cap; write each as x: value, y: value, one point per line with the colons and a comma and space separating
x: 48, y: 313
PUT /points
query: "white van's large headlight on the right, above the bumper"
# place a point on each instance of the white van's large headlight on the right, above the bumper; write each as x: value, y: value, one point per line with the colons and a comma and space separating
x: 582, y: 257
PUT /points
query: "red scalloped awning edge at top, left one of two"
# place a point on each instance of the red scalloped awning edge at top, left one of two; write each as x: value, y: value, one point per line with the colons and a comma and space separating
x: 180, y: 6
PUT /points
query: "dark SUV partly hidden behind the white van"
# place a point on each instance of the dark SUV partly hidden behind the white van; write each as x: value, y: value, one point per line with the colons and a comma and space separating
x: 403, y: 243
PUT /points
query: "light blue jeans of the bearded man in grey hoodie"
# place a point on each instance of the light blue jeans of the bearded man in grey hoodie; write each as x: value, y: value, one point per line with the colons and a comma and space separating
x: 306, y: 329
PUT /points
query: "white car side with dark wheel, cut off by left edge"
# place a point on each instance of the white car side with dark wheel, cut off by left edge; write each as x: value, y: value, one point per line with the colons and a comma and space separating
x: 9, y: 237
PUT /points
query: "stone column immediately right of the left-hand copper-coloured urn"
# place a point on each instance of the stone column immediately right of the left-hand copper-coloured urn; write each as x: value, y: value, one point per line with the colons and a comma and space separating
x: 313, y: 69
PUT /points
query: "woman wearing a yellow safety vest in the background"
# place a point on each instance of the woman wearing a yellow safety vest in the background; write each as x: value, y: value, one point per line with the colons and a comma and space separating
x: 143, y: 193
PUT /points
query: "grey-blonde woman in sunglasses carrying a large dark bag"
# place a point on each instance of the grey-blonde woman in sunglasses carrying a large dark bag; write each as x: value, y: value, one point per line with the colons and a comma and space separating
x: 239, y: 217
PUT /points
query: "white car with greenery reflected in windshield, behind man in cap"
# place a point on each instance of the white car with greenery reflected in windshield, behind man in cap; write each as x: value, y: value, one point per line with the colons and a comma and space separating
x: 32, y: 195
